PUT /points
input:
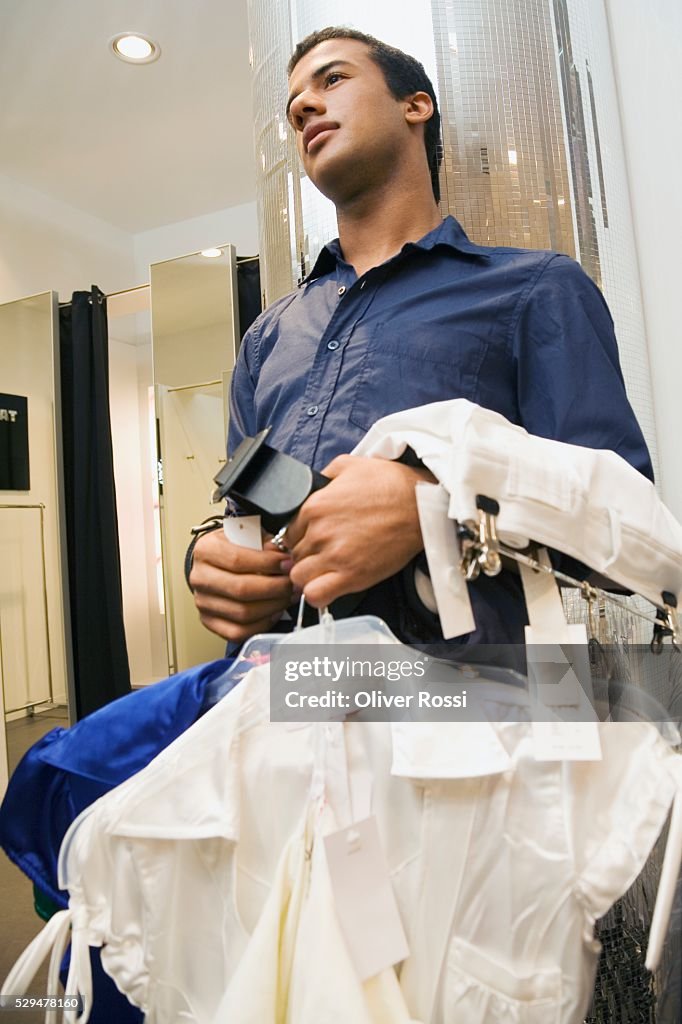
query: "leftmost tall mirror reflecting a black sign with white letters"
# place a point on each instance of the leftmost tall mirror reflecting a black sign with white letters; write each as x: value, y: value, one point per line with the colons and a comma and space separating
x: 34, y: 656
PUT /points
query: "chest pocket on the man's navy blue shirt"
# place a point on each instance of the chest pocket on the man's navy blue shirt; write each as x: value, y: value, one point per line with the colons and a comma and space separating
x: 413, y: 364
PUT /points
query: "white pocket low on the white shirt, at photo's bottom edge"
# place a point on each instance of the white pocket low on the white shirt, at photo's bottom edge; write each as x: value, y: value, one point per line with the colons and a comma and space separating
x: 479, y: 991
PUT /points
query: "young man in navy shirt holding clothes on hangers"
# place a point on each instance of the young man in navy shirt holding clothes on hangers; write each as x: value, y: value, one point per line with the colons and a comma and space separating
x: 401, y: 311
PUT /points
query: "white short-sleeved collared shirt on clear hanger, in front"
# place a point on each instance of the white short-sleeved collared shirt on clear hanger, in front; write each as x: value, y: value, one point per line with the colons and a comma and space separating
x: 499, y: 878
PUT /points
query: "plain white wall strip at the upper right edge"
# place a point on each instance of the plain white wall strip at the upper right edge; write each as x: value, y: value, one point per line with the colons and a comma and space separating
x: 647, y: 45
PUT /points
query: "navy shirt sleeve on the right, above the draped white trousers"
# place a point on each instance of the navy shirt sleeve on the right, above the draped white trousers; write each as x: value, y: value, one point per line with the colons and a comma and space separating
x: 571, y: 387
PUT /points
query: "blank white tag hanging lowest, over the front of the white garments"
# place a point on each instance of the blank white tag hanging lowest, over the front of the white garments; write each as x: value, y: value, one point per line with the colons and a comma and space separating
x: 364, y: 899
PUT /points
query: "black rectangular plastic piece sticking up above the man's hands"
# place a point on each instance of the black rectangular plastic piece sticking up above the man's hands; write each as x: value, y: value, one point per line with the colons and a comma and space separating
x: 267, y: 483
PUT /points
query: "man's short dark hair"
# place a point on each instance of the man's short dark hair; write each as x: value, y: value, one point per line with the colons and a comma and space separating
x: 404, y: 76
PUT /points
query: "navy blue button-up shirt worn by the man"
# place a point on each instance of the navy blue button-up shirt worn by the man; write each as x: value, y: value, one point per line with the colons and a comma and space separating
x: 525, y: 333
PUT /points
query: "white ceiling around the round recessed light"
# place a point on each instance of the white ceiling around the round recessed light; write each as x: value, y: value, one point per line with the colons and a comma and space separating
x: 139, y: 147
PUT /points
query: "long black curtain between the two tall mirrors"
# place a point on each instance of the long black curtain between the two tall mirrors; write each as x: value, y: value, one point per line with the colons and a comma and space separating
x: 101, y: 657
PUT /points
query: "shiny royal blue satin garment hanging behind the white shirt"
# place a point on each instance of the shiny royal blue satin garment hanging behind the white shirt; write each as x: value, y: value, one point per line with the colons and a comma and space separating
x: 69, y: 770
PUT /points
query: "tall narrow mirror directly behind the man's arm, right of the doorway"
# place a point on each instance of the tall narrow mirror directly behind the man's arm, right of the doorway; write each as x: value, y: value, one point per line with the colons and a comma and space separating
x: 195, y: 337
